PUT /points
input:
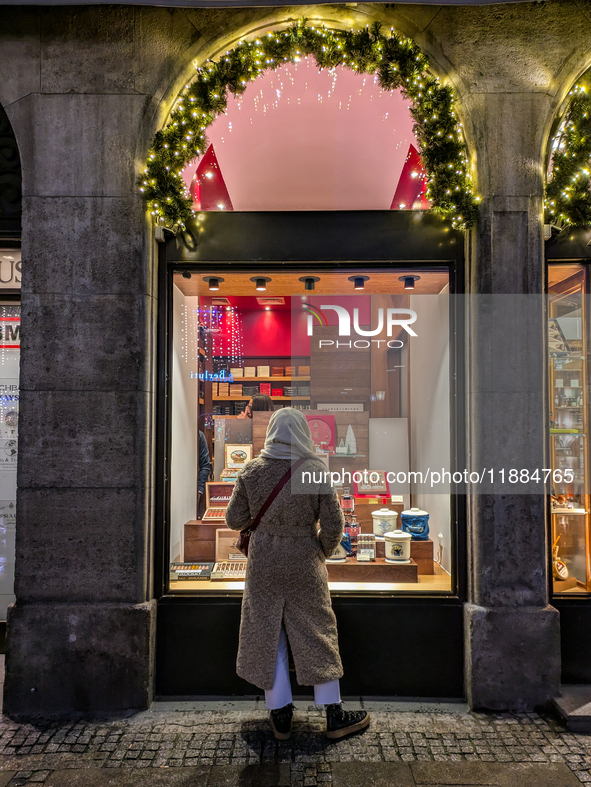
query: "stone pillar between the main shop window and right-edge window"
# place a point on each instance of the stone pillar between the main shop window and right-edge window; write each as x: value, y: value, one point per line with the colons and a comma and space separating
x: 512, y: 642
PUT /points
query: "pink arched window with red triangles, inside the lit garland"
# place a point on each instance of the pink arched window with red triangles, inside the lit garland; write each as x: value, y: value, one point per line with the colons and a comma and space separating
x: 302, y: 138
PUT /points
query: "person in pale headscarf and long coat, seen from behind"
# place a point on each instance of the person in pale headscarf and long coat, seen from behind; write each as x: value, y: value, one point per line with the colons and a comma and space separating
x: 286, y: 595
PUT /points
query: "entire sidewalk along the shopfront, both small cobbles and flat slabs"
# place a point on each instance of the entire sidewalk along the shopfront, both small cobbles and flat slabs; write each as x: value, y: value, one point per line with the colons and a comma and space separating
x: 215, y: 744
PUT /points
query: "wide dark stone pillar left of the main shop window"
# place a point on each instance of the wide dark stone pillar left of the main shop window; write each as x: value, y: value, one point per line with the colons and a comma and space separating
x: 80, y: 636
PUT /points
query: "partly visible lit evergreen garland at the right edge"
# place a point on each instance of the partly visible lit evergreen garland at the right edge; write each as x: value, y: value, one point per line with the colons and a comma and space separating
x: 568, y: 194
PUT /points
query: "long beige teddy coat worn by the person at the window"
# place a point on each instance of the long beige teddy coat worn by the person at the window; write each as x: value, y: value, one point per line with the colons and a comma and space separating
x: 286, y: 576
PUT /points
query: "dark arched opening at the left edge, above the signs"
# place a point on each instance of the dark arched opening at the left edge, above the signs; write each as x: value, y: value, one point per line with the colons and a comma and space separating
x: 10, y: 179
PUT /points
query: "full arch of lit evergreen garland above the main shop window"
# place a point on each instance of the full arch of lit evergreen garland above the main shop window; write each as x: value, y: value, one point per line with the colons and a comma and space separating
x: 397, y: 61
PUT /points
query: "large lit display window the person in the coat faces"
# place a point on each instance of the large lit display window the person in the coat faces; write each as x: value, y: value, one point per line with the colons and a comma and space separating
x: 367, y: 361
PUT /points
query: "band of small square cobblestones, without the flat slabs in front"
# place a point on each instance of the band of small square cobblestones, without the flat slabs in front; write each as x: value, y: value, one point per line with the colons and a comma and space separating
x: 169, y: 739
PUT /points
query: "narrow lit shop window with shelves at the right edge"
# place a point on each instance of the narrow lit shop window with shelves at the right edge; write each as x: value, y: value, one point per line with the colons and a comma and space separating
x: 568, y: 375
